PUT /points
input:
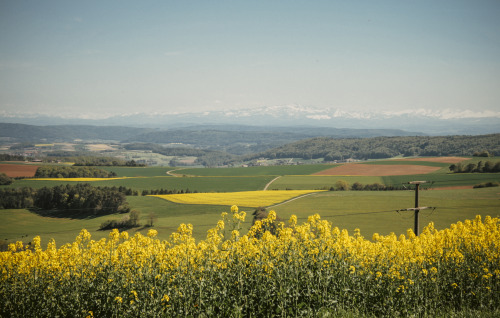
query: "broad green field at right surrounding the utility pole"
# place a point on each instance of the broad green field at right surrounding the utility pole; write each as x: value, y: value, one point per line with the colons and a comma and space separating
x: 375, y: 212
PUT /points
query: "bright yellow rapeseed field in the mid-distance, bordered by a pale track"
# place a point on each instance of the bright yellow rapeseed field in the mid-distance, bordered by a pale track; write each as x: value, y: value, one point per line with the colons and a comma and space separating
x: 244, y: 198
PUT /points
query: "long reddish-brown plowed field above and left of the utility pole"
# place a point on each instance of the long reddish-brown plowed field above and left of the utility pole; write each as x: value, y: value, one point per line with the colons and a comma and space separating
x: 354, y: 169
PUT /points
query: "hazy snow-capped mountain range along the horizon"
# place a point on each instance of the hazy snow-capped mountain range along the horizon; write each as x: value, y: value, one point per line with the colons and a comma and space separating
x: 414, y: 122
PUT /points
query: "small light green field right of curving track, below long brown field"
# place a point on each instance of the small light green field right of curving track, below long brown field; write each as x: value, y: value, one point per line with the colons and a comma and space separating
x: 318, y: 182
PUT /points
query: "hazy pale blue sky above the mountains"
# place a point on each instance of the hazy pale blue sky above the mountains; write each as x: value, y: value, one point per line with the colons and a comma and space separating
x: 105, y: 57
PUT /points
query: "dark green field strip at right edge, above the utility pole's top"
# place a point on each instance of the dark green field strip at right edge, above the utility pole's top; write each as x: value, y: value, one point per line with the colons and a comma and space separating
x: 444, y: 180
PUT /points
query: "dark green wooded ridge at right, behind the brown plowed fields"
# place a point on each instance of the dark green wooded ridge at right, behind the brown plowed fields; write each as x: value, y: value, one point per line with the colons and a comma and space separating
x: 385, y: 147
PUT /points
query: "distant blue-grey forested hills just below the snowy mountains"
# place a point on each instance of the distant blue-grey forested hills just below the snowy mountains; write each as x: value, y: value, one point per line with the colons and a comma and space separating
x: 234, y: 139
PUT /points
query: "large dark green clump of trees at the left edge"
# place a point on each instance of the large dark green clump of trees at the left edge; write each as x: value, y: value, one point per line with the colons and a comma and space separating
x: 81, y: 196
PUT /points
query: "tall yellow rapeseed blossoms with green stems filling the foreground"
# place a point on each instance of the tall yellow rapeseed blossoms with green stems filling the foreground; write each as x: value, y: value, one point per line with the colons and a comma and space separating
x: 301, y: 270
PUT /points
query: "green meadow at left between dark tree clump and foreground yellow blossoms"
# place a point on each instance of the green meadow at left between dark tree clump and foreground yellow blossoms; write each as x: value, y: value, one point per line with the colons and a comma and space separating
x: 23, y: 225
